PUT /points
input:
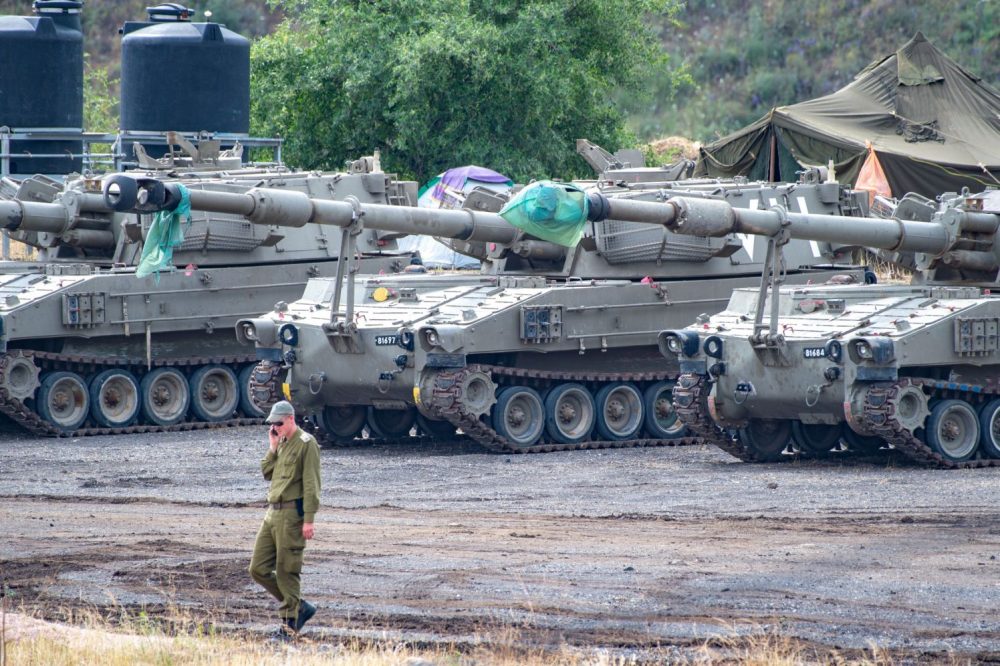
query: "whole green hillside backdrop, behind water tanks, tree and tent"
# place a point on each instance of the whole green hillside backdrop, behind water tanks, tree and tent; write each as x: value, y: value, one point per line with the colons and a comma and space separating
x: 738, y: 58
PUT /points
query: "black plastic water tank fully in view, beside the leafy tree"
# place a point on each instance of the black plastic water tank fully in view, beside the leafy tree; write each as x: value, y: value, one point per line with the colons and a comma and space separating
x: 183, y: 76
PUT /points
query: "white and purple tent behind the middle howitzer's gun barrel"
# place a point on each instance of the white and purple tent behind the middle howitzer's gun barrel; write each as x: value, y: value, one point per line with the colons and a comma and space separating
x: 449, y: 190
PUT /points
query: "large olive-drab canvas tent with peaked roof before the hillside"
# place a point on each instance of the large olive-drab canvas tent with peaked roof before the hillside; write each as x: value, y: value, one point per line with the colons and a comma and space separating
x: 931, y: 125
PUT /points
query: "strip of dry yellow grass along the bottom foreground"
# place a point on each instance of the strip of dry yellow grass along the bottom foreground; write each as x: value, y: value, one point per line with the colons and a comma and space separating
x: 174, y: 639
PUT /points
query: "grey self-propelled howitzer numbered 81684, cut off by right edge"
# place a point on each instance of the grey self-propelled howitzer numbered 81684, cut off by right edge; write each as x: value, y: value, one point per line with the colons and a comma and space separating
x: 820, y: 367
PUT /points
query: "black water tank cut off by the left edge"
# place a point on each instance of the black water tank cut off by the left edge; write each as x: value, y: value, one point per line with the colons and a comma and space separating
x: 41, y: 84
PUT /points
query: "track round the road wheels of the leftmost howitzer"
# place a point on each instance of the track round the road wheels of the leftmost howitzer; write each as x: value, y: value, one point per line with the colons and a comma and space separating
x: 27, y: 418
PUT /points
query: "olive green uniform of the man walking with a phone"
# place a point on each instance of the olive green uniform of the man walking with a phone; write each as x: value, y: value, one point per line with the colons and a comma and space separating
x: 277, y: 555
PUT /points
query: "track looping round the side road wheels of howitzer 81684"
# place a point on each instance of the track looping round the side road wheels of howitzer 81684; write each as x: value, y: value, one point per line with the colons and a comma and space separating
x: 879, y: 415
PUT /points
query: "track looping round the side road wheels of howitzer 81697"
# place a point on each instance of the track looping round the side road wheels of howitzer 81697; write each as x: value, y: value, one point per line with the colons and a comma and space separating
x: 446, y: 404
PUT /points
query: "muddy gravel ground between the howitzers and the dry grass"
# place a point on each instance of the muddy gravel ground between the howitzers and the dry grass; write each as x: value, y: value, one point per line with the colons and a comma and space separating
x: 634, y: 552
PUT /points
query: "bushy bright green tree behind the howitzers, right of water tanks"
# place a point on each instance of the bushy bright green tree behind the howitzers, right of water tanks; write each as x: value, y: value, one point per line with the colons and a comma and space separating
x: 433, y: 84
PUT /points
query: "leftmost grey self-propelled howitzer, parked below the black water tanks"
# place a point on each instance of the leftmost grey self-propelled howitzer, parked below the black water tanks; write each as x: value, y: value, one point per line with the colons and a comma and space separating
x: 86, y: 347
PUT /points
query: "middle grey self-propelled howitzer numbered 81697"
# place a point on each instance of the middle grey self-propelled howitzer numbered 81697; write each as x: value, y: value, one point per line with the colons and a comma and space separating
x: 537, y: 352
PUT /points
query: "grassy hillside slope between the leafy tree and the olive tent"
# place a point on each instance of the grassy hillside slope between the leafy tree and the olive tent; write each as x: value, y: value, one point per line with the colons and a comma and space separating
x: 743, y: 57
